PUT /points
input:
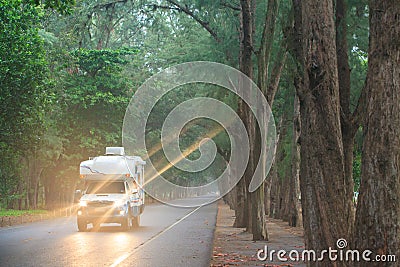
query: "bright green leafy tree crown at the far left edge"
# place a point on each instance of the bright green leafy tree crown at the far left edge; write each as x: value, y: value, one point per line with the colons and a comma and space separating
x: 23, y: 74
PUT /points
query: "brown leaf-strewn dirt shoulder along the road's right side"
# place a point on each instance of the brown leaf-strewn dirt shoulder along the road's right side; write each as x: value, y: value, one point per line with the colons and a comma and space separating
x: 235, y: 247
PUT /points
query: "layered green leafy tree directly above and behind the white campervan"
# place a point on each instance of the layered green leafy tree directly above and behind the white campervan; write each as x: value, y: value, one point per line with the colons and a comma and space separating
x: 97, y: 92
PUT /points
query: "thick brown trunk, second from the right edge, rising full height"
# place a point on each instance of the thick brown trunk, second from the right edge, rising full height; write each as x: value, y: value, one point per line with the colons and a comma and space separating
x: 322, y: 182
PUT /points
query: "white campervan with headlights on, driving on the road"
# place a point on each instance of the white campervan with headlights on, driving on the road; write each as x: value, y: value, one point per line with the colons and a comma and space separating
x: 113, y: 190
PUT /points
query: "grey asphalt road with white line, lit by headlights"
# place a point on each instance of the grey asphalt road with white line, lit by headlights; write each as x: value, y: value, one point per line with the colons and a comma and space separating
x: 168, y: 236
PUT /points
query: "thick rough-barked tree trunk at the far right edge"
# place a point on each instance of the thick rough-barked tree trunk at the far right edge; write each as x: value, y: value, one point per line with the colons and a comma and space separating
x: 378, y: 211
